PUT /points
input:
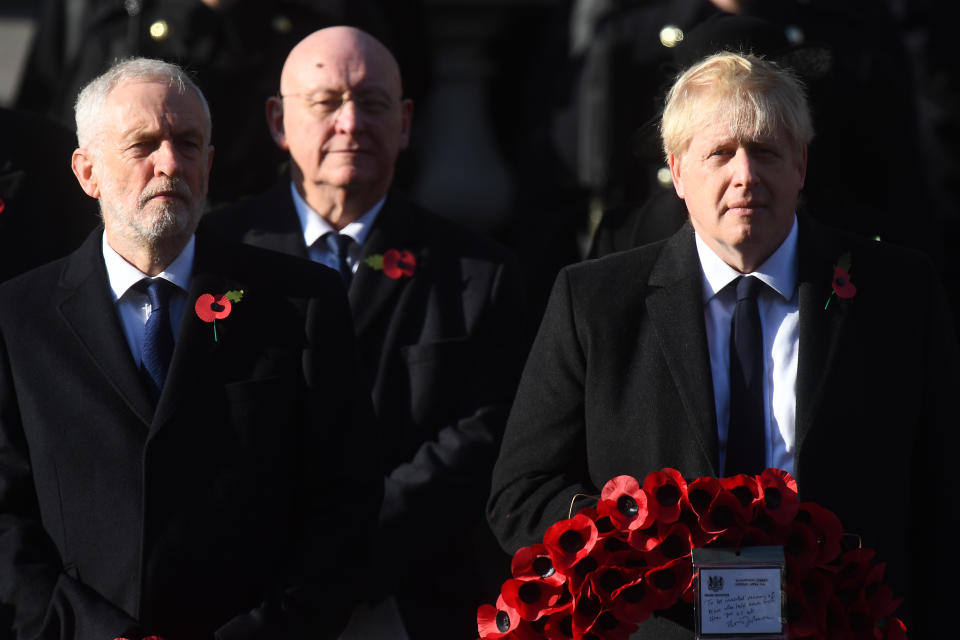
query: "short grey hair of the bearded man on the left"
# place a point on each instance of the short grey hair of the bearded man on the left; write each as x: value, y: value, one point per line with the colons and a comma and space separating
x: 88, y: 109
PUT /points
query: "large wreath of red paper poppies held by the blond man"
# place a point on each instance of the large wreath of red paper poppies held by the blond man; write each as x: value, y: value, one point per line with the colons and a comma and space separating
x: 599, y: 574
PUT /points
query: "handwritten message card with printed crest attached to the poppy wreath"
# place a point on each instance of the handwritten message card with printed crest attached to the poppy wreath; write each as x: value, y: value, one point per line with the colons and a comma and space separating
x: 734, y: 600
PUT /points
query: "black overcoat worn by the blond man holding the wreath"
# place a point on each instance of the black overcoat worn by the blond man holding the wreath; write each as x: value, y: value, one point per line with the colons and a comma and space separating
x: 618, y: 382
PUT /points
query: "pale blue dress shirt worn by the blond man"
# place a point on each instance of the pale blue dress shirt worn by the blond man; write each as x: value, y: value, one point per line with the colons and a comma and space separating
x: 778, y: 305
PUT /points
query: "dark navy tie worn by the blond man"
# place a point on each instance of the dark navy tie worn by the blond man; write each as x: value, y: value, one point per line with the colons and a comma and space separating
x: 746, y: 441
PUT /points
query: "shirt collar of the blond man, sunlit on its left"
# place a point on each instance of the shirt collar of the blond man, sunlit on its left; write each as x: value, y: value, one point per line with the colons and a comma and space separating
x: 779, y: 271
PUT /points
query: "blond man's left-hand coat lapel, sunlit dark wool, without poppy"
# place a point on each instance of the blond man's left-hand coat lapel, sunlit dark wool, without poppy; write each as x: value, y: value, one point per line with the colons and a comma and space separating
x: 675, y: 306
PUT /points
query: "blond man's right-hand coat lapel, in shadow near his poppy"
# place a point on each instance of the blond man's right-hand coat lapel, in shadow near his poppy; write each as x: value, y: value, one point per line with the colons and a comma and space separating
x: 820, y: 329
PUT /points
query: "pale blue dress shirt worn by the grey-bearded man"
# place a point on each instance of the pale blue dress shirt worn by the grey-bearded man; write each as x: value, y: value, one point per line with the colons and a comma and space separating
x: 133, y: 305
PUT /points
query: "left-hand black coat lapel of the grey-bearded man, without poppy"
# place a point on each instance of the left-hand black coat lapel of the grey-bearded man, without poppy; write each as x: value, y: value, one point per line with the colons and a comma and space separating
x: 88, y: 308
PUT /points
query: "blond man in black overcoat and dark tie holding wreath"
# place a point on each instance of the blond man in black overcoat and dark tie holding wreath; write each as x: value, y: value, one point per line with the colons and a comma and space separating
x: 640, y: 361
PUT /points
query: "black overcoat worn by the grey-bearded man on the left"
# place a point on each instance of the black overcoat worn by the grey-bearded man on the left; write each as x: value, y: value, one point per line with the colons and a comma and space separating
x: 238, y: 508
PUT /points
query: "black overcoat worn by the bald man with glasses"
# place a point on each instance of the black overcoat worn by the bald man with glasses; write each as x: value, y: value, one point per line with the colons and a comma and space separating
x: 443, y: 350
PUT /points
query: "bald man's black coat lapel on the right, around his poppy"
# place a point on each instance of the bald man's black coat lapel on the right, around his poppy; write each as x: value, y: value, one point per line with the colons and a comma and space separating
x: 372, y: 293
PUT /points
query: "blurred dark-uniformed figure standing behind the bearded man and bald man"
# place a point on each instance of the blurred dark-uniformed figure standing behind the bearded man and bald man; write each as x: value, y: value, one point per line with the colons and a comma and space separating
x: 235, y: 48
